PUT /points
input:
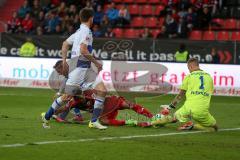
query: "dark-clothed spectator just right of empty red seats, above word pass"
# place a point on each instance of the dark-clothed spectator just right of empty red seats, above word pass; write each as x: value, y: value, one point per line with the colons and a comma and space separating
x: 171, y: 26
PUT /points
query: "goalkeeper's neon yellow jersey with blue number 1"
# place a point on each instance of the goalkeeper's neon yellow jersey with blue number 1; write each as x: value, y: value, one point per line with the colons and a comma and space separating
x: 199, y: 88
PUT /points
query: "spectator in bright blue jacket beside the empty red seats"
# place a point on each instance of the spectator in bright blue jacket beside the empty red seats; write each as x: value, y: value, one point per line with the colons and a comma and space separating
x: 112, y: 14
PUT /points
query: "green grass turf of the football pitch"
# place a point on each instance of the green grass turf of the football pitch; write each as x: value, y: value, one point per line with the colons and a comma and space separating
x: 20, y: 123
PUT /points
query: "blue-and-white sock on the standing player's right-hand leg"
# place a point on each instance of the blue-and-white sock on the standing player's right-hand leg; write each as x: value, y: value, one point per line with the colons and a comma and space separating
x: 98, y: 105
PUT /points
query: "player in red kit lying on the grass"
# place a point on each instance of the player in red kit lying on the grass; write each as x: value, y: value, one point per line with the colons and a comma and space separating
x: 112, y: 105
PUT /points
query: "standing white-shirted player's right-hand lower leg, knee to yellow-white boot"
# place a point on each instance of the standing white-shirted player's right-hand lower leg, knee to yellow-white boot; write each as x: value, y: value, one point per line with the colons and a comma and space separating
x: 98, y: 106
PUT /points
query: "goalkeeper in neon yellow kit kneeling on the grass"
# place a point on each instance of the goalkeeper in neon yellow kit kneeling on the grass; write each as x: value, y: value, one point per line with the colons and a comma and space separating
x: 194, y: 114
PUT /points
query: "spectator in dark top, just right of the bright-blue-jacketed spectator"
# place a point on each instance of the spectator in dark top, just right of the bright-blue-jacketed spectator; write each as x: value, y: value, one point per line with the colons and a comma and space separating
x: 123, y: 16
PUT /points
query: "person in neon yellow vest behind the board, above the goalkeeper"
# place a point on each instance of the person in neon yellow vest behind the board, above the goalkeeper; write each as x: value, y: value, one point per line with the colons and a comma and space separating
x: 182, y: 54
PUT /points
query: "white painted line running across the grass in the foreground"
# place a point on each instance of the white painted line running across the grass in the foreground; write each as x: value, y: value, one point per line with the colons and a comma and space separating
x: 110, y: 138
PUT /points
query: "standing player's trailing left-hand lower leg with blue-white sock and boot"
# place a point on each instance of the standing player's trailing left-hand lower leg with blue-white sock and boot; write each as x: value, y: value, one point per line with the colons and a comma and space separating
x: 59, y: 102
